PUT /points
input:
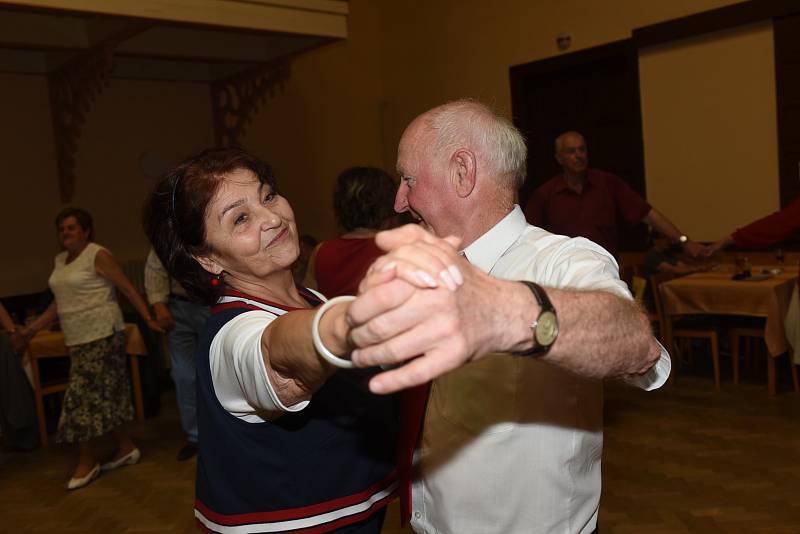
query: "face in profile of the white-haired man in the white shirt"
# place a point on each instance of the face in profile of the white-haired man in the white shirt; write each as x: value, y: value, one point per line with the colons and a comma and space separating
x: 423, y: 180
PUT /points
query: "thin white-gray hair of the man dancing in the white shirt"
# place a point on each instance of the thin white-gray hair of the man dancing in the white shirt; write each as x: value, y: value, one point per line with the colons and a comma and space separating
x: 471, y: 124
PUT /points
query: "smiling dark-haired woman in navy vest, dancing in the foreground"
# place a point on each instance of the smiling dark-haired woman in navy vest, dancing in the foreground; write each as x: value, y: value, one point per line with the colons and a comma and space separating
x: 285, y: 442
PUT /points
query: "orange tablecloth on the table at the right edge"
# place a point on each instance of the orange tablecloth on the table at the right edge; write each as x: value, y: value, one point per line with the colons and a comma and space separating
x: 715, y: 293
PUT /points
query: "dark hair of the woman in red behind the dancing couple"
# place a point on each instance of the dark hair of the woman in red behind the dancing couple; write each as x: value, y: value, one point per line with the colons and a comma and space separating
x: 363, y: 198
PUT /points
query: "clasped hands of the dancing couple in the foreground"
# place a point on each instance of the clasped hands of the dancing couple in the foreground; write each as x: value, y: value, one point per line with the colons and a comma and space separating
x: 416, y: 310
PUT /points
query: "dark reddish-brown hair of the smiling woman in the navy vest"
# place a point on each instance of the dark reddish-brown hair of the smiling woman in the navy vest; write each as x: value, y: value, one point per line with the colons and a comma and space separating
x: 174, y: 214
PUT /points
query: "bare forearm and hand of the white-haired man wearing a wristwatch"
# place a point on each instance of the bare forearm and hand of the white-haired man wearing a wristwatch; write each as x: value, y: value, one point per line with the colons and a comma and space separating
x: 601, y: 334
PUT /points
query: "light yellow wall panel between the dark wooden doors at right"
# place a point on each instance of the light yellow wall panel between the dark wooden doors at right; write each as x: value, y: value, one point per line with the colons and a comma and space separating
x: 710, y: 131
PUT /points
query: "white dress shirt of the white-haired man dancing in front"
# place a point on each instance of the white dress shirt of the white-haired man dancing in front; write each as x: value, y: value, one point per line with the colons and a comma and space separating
x: 512, y: 444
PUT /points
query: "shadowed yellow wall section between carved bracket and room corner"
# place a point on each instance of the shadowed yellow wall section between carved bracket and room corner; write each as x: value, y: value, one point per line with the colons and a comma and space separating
x: 327, y: 119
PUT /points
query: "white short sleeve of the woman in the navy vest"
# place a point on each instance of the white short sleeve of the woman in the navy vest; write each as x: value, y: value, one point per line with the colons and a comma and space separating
x: 237, y: 369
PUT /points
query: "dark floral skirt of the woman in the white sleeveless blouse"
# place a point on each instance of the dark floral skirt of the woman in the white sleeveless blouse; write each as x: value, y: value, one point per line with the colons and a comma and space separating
x: 98, y: 396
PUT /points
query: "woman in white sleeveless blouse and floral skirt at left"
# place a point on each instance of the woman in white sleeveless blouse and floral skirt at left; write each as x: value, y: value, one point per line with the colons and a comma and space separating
x: 98, y: 398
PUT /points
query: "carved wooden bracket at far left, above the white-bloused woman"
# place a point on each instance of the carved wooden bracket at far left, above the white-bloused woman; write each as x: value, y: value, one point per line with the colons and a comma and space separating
x: 73, y: 89
